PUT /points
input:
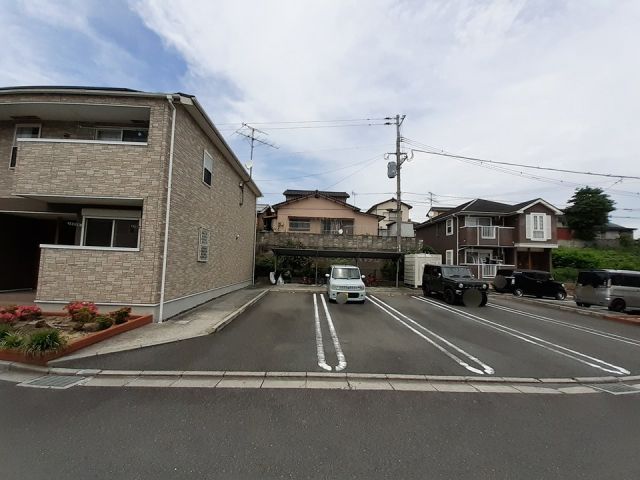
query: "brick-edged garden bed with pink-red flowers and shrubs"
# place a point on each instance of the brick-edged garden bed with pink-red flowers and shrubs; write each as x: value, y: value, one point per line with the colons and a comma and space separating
x: 64, y: 328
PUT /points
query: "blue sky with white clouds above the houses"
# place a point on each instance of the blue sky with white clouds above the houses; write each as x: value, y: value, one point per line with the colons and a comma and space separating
x: 548, y: 83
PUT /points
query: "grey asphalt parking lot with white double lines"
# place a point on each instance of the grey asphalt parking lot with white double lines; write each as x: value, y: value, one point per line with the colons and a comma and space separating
x: 407, y: 334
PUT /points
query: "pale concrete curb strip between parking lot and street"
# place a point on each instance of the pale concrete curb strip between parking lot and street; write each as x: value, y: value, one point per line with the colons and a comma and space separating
x: 21, y: 367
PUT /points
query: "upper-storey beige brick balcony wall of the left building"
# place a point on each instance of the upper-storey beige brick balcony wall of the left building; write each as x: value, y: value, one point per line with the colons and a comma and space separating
x: 52, y: 169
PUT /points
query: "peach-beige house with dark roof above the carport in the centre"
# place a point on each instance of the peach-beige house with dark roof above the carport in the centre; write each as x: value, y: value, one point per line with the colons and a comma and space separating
x: 313, y: 211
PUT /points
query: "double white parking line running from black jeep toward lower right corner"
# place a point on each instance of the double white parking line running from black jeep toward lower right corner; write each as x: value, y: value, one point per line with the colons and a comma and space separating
x: 559, y: 349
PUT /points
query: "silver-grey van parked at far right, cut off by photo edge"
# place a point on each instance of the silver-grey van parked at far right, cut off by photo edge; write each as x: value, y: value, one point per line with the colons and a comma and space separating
x: 619, y: 290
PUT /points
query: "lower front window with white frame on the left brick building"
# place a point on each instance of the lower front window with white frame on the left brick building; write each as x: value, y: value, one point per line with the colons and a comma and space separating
x: 110, y: 229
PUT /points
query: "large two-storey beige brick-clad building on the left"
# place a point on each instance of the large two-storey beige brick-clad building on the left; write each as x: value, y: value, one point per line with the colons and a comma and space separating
x: 120, y: 197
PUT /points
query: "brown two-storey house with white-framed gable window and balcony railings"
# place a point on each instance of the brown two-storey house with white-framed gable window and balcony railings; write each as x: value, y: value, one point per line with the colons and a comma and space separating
x: 486, y: 235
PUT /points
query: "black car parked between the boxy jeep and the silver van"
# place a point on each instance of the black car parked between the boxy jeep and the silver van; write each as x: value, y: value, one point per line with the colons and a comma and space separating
x: 528, y: 282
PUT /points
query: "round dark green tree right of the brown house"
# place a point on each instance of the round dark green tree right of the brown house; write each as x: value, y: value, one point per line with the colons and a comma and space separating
x: 588, y: 212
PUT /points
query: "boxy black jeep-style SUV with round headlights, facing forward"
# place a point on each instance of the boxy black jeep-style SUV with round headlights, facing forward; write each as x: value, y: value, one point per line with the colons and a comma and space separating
x: 455, y: 284
